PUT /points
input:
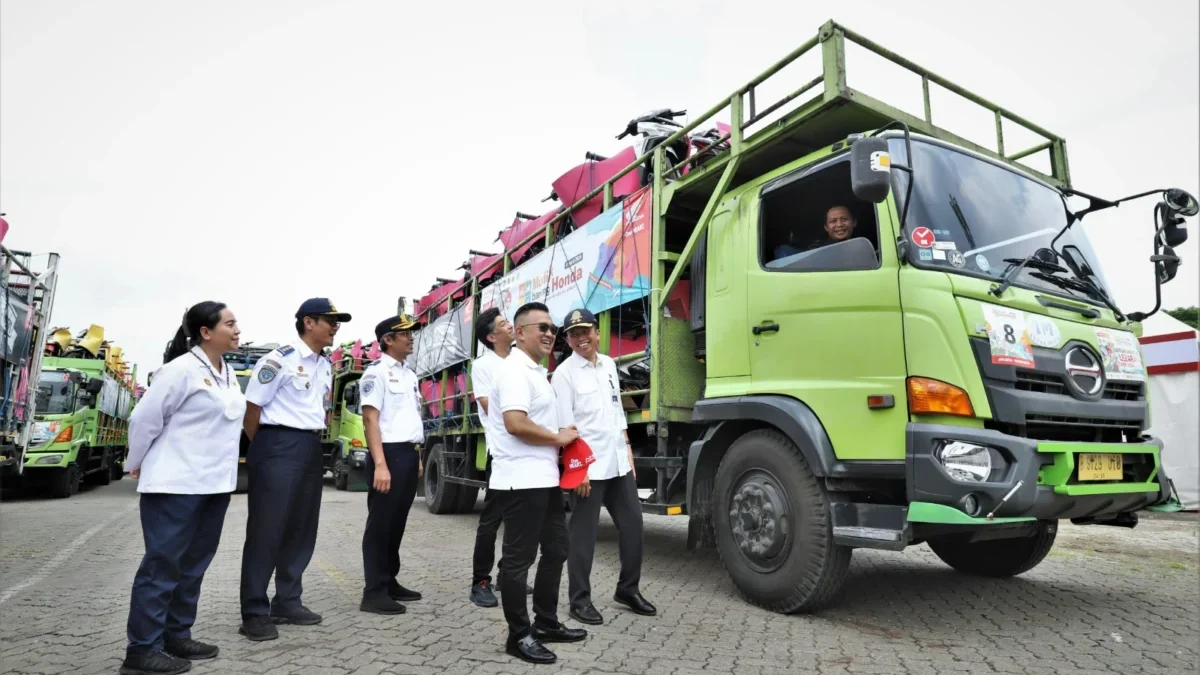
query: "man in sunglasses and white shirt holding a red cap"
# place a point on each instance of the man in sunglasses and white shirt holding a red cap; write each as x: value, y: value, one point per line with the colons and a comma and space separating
x: 526, y: 476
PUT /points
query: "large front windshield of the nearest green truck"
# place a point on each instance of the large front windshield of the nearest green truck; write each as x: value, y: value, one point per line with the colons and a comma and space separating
x: 976, y: 218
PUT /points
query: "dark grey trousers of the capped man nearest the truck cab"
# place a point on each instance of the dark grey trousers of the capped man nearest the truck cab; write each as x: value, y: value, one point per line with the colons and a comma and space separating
x: 620, y: 497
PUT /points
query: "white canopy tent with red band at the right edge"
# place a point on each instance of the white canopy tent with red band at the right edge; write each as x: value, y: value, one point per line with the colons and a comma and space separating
x: 1172, y: 353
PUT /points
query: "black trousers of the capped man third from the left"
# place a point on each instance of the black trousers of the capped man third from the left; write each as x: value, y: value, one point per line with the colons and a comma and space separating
x: 387, y: 518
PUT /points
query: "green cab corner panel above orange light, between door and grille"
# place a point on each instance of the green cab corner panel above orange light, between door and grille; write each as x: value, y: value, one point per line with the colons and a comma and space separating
x: 935, y: 345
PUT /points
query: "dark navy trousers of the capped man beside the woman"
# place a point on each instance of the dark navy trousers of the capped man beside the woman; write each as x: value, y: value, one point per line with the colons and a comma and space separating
x: 286, y: 469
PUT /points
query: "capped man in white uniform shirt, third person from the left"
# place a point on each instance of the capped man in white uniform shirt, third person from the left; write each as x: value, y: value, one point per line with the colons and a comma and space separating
x: 393, y: 425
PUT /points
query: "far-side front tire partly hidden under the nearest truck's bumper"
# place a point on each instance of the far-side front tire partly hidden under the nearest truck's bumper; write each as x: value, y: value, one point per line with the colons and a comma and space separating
x: 998, y: 558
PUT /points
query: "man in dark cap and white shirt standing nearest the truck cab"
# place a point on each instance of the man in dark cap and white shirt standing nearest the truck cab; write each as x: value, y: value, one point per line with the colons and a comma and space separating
x: 589, y: 391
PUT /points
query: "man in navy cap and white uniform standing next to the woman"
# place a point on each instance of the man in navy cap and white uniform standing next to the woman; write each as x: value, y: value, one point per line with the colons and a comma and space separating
x: 286, y: 403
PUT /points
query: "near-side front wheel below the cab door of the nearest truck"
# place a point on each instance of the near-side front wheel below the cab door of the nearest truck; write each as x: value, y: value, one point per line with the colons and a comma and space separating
x: 773, y: 525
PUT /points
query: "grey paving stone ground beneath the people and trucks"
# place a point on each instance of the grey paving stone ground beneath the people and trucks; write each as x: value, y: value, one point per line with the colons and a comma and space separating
x: 1106, y: 601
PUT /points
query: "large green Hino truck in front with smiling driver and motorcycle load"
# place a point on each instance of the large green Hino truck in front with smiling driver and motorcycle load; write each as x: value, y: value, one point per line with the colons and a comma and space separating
x: 956, y: 373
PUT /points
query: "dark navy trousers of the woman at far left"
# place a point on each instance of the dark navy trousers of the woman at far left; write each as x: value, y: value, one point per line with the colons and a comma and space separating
x: 182, y: 534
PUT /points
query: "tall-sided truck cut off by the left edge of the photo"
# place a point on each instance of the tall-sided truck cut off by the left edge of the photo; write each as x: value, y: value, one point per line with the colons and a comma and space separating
x: 27, y: 301
